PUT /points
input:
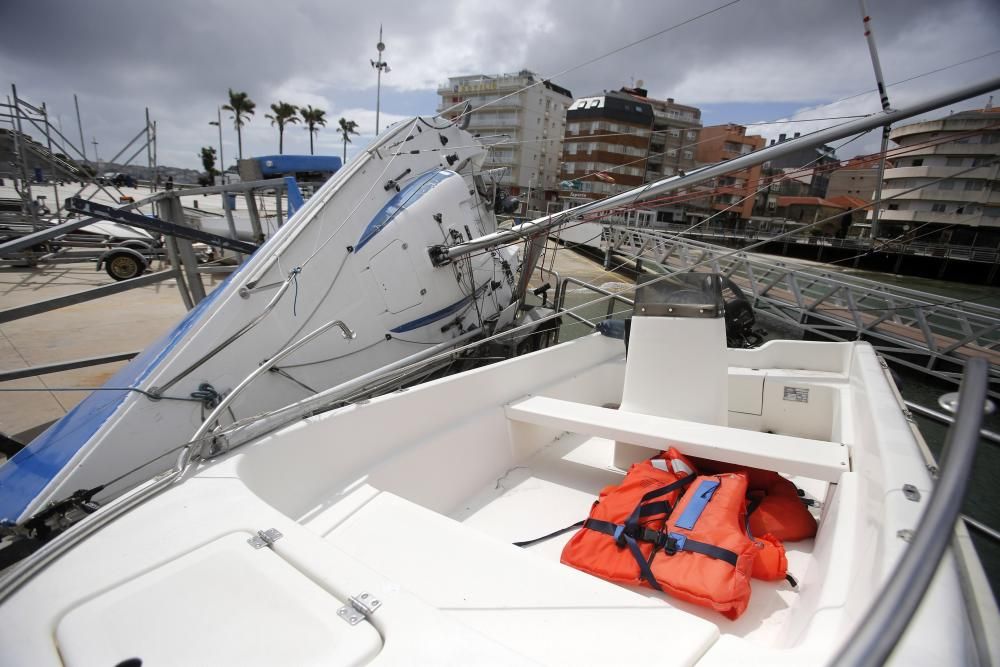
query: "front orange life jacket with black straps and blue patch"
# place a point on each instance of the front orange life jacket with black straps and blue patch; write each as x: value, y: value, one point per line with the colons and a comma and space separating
x: 695, y: 549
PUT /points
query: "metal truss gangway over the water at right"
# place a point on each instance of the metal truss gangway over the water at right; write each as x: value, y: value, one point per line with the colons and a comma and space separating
x: 922, y: 331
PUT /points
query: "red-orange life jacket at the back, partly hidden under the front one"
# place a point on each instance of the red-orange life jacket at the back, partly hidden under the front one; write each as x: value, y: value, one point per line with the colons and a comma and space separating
x: 777, y: 508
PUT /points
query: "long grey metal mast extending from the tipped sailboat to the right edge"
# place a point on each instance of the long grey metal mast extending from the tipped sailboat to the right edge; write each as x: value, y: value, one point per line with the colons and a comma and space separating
x: 441, y: 254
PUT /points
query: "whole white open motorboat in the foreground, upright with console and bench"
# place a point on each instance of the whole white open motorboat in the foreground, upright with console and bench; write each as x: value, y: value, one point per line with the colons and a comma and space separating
x: 383, y: 531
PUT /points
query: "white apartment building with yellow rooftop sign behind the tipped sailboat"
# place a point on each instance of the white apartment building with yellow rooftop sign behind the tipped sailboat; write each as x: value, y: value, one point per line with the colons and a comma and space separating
x: 522, y: 118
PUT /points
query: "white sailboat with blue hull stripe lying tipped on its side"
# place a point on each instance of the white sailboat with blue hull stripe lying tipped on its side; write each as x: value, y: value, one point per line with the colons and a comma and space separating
x: 354, y: 254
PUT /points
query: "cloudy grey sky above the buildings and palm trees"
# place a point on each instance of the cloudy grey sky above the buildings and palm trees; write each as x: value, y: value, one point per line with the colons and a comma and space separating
x: 752, y: 61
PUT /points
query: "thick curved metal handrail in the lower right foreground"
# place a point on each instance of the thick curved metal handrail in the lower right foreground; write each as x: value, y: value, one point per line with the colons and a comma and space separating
x: 882, y: 627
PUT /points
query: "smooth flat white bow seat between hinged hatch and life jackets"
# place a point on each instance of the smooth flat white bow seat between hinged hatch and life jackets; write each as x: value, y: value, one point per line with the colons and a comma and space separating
x: 549, y: 611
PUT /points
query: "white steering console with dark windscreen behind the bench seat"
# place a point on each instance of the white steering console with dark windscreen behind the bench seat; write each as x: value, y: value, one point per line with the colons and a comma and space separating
x: 677, y: 364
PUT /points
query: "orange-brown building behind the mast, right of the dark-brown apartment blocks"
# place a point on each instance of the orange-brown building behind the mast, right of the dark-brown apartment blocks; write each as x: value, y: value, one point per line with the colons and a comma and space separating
x: 734, y: 194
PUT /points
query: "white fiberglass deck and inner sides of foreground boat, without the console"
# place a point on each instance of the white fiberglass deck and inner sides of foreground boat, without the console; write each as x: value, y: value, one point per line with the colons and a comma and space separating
x: 415, y: 498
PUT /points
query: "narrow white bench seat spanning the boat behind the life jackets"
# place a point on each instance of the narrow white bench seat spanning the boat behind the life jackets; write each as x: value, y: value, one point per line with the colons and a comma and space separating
x: 816, y: 459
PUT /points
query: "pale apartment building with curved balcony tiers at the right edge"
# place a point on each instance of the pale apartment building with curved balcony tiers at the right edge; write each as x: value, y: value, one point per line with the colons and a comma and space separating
x: 954, y: 164
